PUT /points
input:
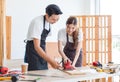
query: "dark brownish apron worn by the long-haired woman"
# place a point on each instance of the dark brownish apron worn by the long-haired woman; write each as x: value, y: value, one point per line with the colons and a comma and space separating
x: 70, y: 52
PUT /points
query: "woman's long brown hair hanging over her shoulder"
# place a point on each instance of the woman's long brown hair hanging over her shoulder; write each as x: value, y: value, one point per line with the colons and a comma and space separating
x: 73, y: 20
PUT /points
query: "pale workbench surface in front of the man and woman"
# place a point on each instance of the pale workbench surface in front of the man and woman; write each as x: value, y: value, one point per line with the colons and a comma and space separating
x: 55, y: 75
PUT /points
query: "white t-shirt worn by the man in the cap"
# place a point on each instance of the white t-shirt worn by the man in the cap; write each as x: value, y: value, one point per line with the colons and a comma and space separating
x: 36, y: 28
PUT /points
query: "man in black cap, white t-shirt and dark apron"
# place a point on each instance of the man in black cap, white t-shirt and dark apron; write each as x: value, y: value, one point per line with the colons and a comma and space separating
x: 39, y: 29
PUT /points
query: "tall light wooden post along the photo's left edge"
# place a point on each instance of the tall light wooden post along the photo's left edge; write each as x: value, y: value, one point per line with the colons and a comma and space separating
x: 2, y: 25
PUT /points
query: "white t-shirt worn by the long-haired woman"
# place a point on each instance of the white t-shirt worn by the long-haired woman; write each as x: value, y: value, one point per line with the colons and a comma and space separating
x: 62, y: 36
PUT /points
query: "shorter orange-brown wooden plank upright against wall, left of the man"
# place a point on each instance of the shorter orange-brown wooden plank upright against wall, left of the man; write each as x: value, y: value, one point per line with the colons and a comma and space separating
x: 8, y: 37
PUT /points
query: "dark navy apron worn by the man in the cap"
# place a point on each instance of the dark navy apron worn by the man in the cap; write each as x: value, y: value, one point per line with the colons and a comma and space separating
x: 34, y: 60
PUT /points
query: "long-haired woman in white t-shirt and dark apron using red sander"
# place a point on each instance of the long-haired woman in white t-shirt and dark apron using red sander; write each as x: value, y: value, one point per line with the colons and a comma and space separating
x: 70, y: 43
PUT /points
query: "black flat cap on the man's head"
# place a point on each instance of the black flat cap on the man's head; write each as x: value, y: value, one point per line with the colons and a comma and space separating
x: 53, y: 9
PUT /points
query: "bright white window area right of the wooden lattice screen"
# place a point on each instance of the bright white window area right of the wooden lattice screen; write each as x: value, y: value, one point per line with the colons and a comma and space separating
x: 111, y: 7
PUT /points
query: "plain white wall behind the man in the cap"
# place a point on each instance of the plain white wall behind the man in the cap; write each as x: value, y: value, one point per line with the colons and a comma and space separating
x: 22, y: 11
